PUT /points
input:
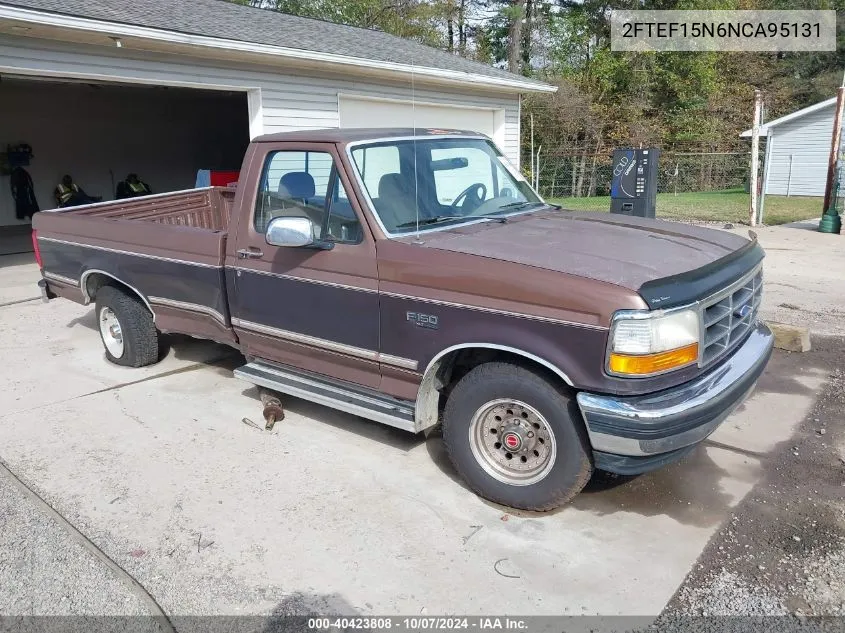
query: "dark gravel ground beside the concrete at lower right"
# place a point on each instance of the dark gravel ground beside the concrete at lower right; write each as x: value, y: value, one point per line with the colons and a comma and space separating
x: 782, y: 553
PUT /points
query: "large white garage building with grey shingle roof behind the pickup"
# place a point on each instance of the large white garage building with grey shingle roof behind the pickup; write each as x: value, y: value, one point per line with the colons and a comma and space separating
x: 102, y: 88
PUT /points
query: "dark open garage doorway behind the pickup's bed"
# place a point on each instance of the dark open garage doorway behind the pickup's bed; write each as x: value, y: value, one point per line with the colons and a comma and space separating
x: 100, y: 132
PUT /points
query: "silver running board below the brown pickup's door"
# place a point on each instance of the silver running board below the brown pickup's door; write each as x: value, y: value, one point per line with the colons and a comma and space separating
x: 336, y: 394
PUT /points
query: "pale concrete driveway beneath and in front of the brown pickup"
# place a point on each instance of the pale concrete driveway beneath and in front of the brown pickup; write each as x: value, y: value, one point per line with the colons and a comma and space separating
x: 114, y: 476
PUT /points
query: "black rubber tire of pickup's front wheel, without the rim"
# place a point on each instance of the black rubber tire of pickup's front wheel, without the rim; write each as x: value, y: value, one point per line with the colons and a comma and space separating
x: 572, y: 466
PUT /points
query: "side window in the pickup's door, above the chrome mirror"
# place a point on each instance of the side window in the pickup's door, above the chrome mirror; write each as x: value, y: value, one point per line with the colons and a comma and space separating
x: 297, y: 183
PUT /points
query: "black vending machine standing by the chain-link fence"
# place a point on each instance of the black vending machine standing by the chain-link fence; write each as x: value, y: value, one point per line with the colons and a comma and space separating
x: 633, y: 190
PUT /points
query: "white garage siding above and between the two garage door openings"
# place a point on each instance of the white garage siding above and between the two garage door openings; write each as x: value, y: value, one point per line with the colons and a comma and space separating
x: 289, y: 100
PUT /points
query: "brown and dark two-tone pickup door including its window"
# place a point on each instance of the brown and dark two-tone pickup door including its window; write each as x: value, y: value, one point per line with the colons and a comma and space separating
x: 310, y: 308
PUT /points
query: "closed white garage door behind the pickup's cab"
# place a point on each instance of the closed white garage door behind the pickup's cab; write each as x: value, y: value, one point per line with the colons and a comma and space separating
x: 365, y: 112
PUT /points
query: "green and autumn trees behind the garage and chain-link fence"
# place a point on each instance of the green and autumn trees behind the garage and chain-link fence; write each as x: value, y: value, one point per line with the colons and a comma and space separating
x: 605, y: 99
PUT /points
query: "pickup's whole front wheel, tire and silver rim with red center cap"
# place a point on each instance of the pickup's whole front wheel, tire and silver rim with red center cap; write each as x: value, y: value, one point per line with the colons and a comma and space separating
x: 516, y: 438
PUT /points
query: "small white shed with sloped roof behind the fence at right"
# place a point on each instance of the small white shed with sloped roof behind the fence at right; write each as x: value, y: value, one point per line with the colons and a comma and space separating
x: 797, y: 151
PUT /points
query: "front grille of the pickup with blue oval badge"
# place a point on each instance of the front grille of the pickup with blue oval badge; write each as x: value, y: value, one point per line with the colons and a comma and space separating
x: 728, y: 317
